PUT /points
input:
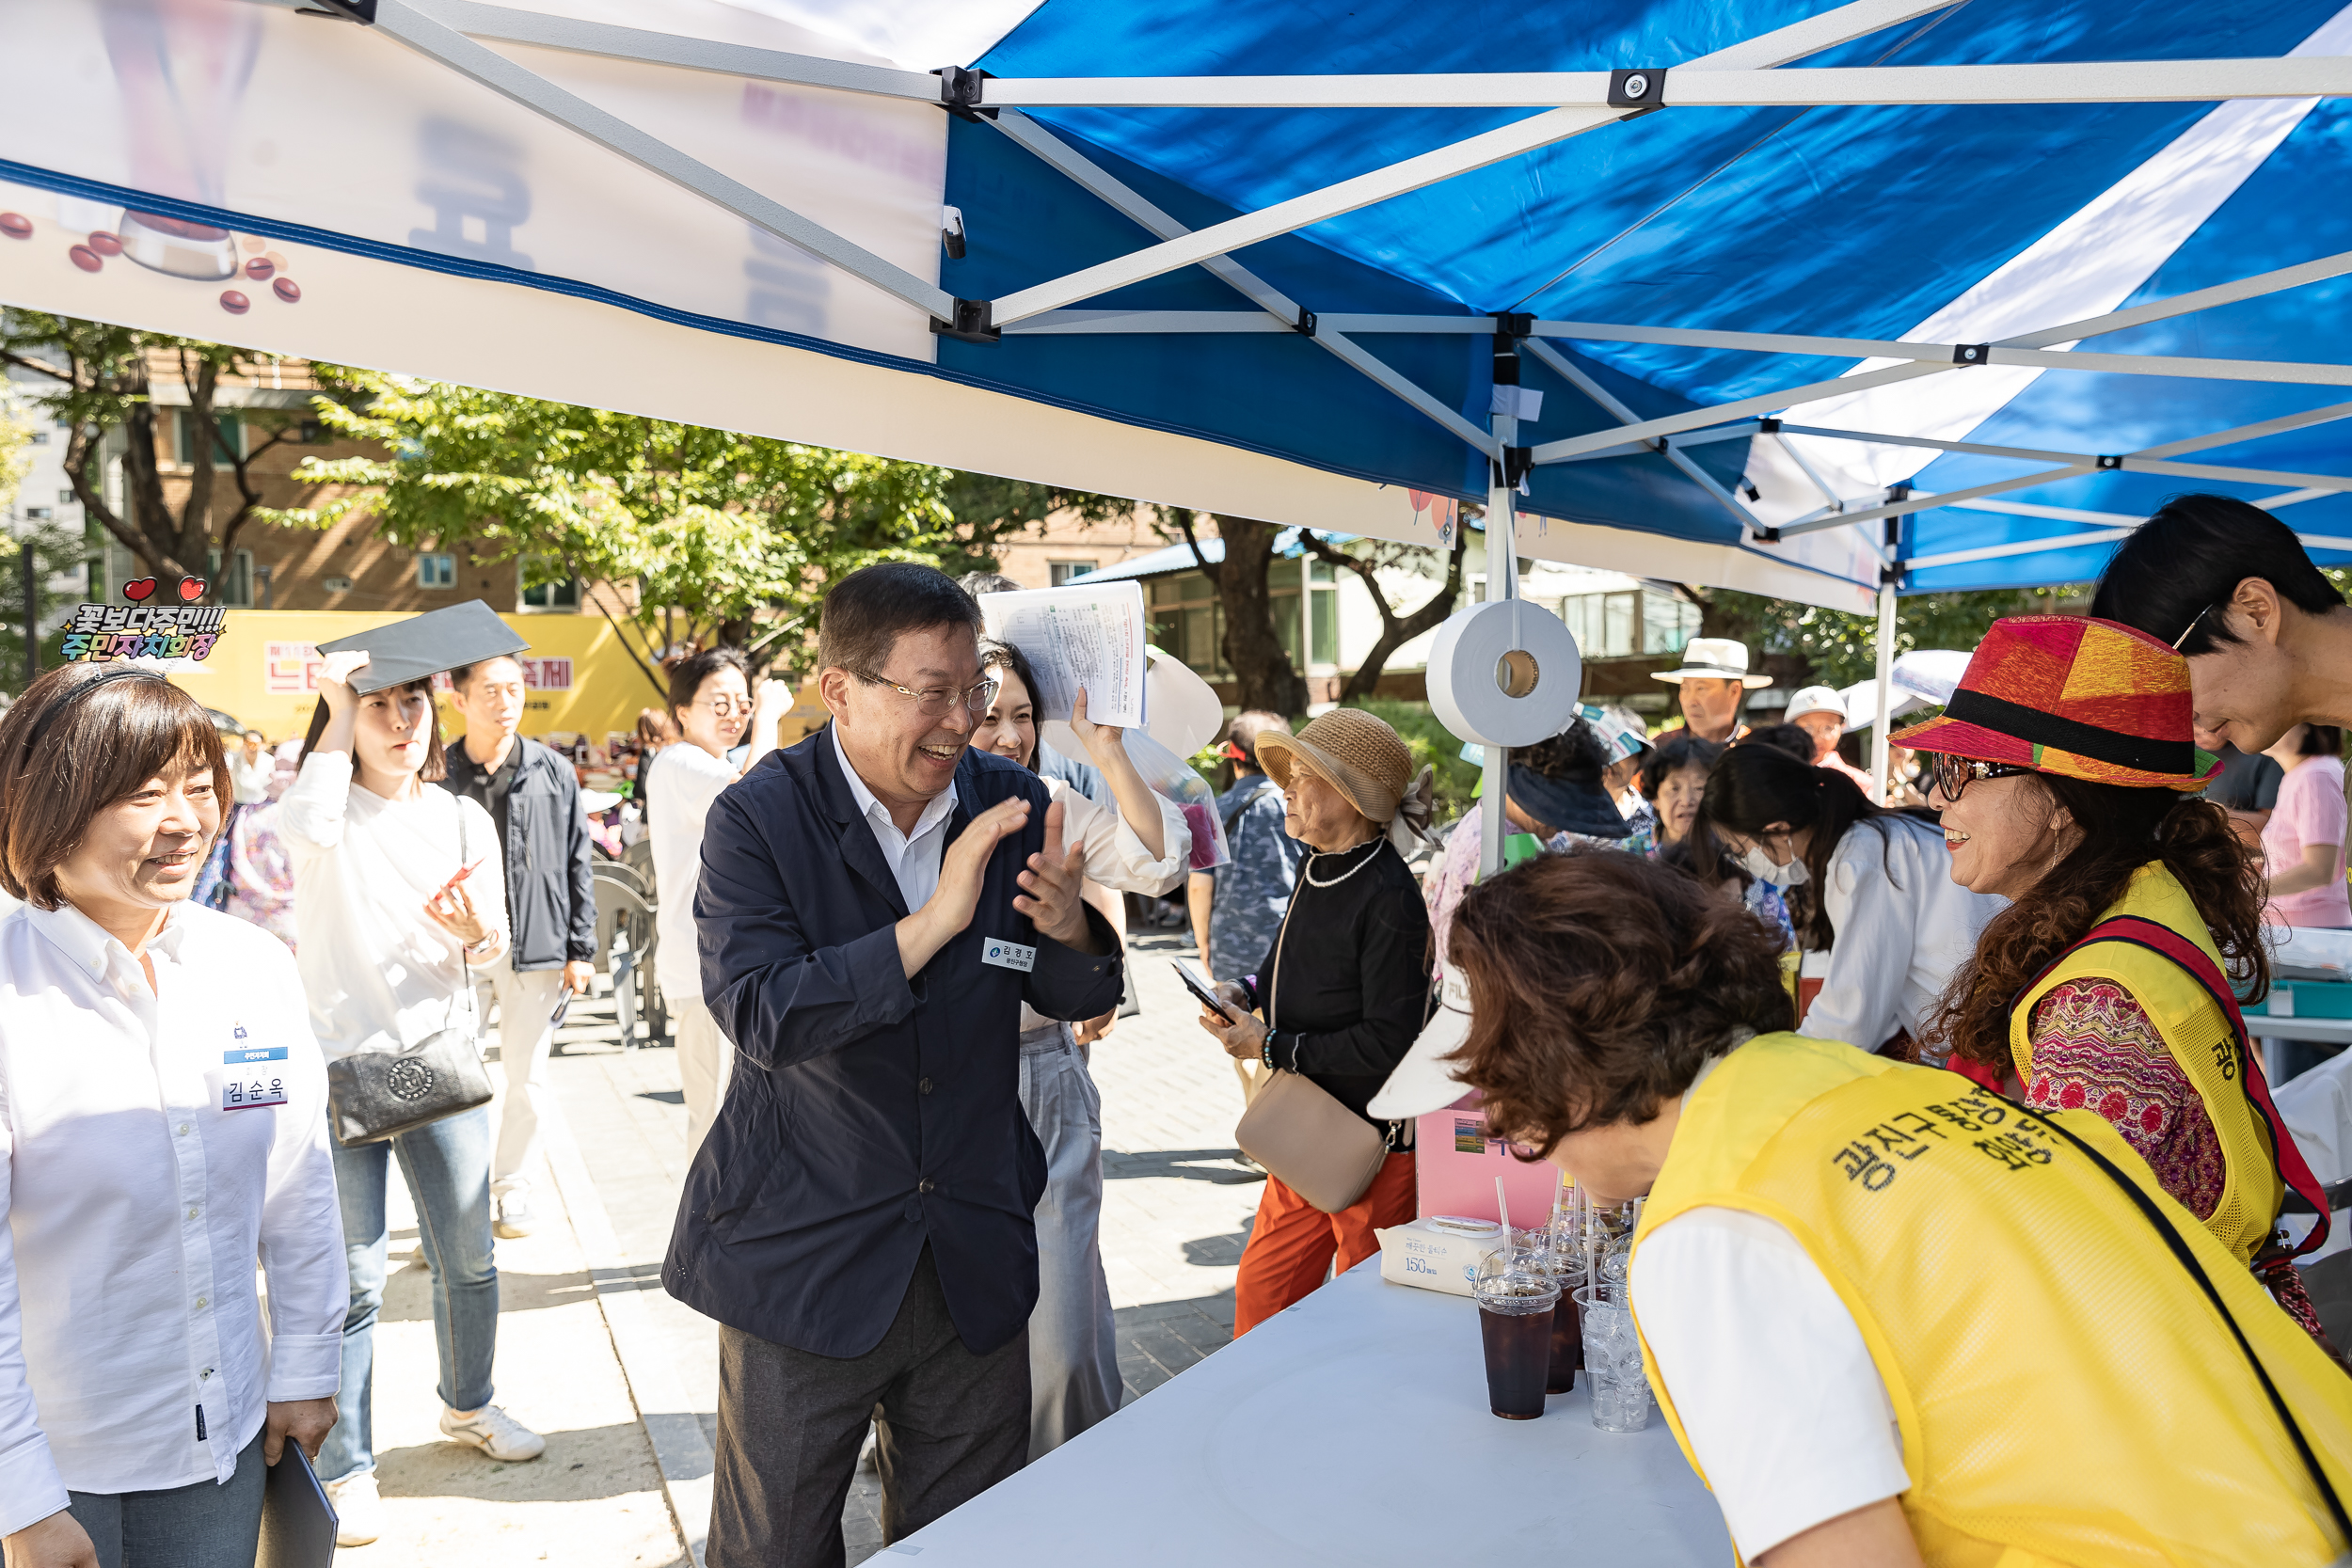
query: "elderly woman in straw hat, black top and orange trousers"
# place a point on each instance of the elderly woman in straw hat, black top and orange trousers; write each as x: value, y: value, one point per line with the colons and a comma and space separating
x: 1342, y: 993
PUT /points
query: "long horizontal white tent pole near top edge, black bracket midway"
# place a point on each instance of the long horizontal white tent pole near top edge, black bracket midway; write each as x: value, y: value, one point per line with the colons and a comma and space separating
x: 2167, y: 81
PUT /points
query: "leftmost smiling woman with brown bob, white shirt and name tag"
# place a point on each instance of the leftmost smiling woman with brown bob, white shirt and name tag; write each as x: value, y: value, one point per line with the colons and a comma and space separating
x: 163, y: 1130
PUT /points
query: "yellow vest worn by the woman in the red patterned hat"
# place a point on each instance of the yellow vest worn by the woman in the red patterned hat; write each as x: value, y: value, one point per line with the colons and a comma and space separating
x: 2200, y: 1040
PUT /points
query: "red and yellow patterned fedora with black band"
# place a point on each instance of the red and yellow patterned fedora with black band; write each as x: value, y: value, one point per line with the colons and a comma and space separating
x: 2078, y: 697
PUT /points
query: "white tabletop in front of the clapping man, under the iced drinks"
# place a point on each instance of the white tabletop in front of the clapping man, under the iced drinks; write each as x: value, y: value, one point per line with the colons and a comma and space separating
x: 1349, y: 1430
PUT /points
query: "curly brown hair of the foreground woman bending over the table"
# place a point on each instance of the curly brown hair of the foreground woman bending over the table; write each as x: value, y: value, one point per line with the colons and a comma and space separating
x: 1601, y: 984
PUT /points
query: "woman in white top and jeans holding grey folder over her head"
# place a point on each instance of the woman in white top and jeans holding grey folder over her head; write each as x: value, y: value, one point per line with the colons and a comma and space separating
x: 387, y: 951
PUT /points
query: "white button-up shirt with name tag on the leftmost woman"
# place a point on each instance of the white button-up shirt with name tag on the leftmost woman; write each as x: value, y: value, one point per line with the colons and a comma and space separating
x: 138, y: 1207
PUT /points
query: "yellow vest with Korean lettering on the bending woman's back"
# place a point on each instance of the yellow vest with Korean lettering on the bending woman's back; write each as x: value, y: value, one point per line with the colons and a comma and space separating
x: 2064, y: 1386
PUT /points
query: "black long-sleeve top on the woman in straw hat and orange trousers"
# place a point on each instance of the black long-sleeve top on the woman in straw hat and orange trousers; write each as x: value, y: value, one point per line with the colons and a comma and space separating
x: 1356, y: 963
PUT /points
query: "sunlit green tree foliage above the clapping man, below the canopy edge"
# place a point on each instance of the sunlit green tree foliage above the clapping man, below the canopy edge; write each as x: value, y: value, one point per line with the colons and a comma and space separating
x: 726, y: 537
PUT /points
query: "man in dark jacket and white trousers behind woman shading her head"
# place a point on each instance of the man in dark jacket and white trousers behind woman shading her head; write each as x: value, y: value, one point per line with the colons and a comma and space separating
x: 535, y: 800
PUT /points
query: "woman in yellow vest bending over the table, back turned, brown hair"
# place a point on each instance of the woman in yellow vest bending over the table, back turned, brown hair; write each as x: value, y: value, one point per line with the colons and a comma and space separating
x: 1892, y: 1318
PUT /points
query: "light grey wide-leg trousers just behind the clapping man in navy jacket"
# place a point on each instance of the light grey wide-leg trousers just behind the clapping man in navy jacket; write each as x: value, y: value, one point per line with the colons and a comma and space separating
x: 1074, y: 1339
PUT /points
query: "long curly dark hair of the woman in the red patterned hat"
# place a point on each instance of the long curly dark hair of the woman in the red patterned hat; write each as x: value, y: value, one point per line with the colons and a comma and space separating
x: 2125, y: 831
